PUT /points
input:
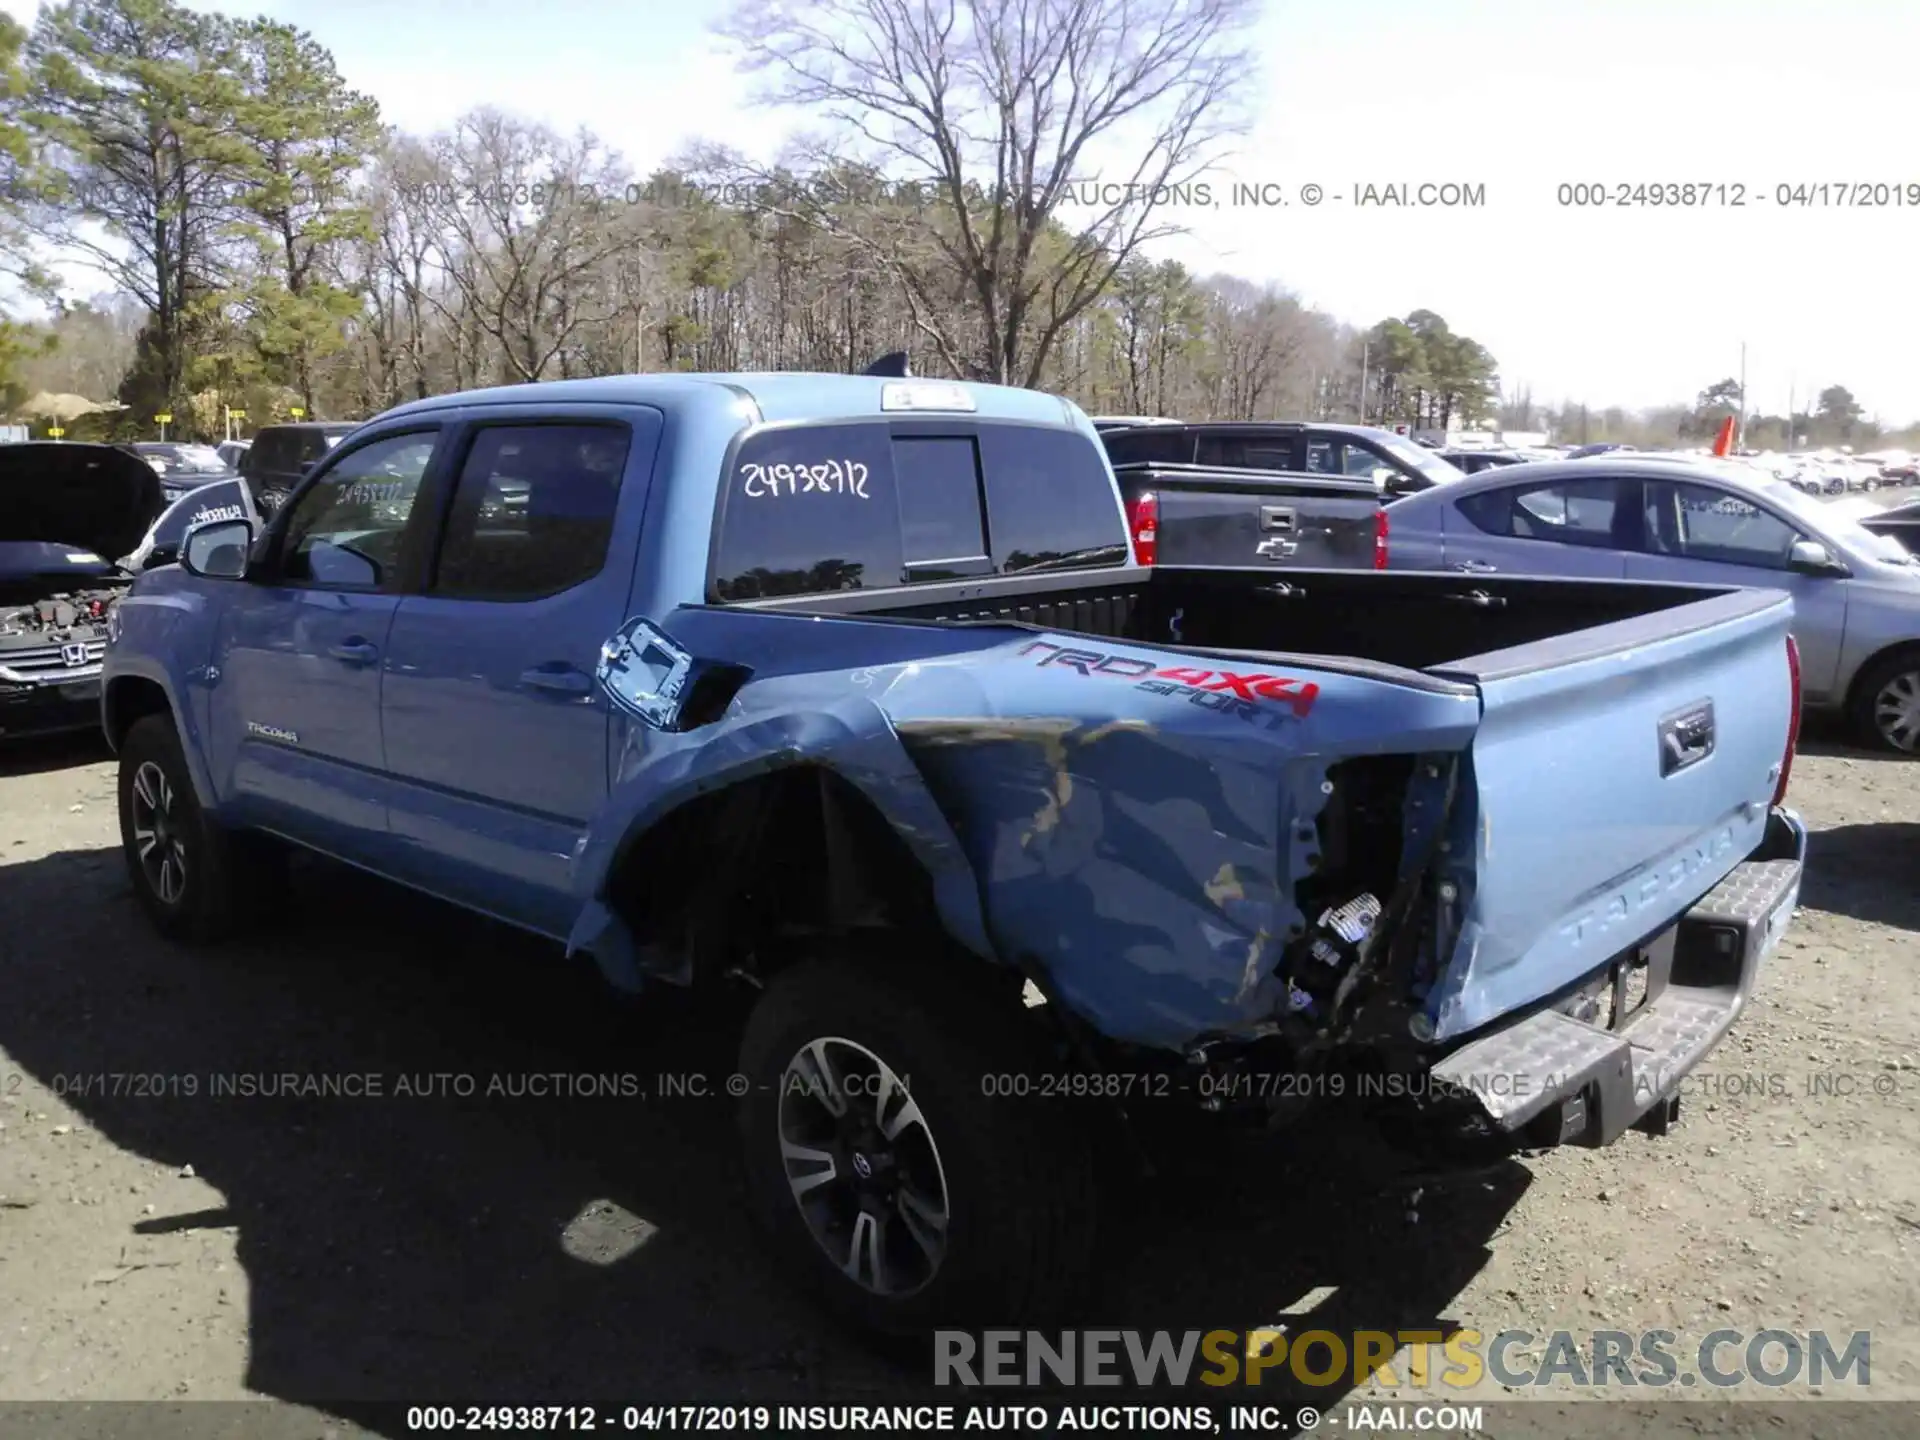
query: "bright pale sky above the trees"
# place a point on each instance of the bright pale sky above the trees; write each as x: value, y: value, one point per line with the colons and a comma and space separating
x: 1621, y: 306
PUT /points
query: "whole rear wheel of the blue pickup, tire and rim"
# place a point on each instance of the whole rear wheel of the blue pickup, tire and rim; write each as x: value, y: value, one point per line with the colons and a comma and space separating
x: 890, y: 1163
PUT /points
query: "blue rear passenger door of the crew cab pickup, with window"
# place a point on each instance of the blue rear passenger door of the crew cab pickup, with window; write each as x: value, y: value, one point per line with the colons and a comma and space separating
x: 496, y: 734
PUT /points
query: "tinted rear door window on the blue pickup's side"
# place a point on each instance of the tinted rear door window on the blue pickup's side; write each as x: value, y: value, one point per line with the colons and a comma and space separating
x: 533, y: 512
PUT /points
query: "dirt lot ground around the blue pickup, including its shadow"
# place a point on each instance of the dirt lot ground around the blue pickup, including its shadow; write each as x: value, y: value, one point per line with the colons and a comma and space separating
x: 158, y: 1245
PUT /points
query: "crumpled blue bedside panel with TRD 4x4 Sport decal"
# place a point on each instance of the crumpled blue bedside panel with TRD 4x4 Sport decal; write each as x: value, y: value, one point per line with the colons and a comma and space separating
x: 1136, y: 838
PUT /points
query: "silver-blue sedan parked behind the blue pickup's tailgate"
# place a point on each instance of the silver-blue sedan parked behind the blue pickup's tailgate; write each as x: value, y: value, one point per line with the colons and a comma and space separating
x: 1856, y: 594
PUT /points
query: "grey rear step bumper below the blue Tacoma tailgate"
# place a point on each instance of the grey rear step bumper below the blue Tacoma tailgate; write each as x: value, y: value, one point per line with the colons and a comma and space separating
x: 1570, y: 1080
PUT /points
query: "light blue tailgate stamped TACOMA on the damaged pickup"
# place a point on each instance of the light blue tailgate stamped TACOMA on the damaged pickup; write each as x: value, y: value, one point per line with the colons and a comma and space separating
x: 1618, y: 777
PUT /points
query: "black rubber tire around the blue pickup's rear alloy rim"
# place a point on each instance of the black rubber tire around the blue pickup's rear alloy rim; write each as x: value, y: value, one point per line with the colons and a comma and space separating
x: 1019, y: 1174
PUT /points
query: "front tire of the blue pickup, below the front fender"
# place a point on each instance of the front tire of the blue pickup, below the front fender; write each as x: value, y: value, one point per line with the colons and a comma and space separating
x: 224, y: 880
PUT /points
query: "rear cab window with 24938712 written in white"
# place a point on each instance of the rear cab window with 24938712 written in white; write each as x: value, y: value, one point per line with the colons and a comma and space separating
x: 867, y: 506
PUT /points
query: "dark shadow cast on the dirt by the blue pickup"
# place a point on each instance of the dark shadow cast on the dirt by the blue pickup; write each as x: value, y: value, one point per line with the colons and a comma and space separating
x: 558, y: 1251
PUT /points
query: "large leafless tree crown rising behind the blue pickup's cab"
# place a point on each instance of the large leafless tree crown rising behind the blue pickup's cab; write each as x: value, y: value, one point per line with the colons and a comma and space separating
x: 1003, y: 110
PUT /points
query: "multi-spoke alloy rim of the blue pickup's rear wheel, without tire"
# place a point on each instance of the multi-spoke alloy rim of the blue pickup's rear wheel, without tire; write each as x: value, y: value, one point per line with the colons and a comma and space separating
x: 863, y: 1166
